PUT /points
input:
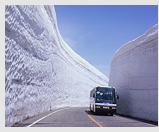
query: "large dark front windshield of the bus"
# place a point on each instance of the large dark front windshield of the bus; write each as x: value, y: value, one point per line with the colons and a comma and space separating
x: 105, y: 94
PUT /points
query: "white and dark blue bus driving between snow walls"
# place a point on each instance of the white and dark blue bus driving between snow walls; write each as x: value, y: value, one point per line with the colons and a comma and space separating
x: 103, y: 99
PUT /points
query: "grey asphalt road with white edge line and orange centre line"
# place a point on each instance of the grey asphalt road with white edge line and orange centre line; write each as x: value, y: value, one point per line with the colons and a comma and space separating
x: 81, y: 117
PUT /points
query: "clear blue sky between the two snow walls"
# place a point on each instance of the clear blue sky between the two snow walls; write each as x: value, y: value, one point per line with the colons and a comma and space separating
x: 95, y: 32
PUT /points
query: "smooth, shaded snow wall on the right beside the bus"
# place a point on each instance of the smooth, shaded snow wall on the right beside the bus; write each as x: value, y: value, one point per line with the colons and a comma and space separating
x: 134, y: 73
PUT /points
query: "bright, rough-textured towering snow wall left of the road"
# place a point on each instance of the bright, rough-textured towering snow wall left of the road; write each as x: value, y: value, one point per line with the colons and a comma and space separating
x: 42, y: 72
